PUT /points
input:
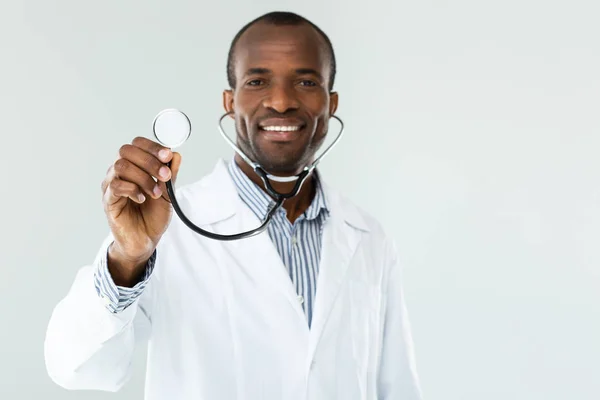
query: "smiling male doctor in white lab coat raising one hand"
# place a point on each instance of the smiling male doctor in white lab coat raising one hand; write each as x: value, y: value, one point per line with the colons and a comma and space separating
x: 311, y: 309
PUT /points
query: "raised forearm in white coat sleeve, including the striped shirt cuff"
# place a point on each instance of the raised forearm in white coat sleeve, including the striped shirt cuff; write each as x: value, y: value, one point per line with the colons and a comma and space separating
x: 92, y: 331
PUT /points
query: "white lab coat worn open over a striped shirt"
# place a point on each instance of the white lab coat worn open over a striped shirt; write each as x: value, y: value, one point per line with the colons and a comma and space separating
x: 224, y: 322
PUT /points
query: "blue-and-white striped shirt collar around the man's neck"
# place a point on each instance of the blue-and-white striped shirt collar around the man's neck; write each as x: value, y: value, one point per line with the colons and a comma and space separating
x: 260, y: 202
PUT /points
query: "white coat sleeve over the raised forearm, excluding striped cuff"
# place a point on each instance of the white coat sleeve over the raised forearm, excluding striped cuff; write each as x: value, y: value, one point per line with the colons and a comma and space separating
x: 83, y: 339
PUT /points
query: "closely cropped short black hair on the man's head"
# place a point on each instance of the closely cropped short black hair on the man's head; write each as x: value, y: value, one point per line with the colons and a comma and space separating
x: 279, y: 18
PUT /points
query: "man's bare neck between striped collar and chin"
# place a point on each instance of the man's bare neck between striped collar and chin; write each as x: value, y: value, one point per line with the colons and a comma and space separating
x: 294, y: 206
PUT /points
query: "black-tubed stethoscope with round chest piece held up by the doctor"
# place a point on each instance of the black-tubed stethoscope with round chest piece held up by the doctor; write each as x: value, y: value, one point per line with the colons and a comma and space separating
x: 172, y: 128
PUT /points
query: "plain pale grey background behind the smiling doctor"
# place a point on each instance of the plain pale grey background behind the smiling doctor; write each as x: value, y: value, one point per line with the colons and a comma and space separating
x: 473, y: 135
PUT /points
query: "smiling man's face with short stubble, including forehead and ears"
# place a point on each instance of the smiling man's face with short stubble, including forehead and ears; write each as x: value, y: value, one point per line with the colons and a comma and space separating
x: 281, y: 102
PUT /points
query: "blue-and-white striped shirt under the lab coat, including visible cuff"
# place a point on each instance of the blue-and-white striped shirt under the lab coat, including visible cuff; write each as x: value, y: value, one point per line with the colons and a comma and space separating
x: 298, y: 244
